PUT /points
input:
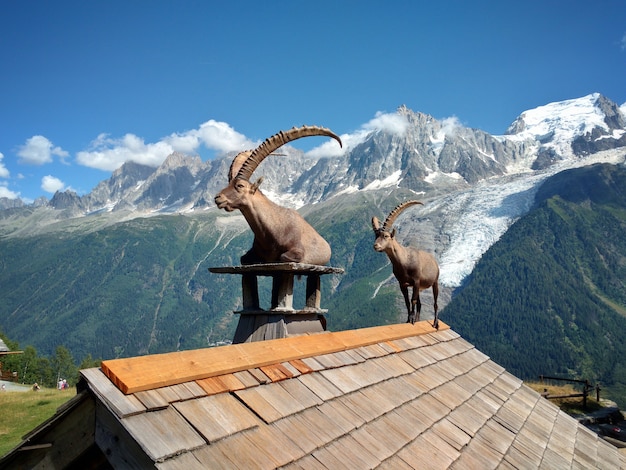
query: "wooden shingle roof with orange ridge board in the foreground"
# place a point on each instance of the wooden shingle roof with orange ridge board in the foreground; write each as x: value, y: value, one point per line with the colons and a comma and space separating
x: 399, y: 396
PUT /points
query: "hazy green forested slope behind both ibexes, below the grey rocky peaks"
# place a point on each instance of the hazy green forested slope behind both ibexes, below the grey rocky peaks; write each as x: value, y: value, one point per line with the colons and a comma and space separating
x: 143, y: 286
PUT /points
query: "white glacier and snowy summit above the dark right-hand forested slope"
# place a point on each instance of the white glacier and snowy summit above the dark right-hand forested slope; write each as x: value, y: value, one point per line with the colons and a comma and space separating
x: 474, y: 219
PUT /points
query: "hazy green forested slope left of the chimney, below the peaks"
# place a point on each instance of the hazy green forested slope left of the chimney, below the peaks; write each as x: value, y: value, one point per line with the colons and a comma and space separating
x: 131, y: 288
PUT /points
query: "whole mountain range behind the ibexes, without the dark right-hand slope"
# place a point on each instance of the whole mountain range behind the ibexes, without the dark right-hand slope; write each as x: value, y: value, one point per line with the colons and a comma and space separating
x: 123, y: 270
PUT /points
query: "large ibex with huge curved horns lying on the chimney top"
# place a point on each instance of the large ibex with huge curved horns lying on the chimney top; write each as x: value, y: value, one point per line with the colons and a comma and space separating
x: 280, y: 234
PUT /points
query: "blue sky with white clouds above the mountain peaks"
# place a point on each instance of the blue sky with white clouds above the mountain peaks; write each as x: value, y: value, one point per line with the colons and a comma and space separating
x: 85, y: 86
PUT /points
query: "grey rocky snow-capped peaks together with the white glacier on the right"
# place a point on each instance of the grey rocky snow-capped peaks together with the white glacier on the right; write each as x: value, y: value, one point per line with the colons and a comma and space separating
x: 474, y: 185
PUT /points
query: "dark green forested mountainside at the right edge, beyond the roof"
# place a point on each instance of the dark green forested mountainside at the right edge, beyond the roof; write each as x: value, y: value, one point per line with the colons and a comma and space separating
x: 550, y: 296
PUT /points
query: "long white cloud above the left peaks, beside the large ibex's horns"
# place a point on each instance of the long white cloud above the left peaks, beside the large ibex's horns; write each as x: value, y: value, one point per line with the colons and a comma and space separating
x: 106, y: 153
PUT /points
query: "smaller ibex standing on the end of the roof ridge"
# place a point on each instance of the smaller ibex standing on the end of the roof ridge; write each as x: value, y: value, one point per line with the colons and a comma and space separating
x: 411, y: 267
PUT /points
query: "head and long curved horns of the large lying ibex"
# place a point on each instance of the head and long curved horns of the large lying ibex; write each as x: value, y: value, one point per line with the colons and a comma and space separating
x: 243, y: 165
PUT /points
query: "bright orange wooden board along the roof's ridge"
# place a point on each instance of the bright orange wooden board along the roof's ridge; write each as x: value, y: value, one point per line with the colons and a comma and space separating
x: 147, y: 372
